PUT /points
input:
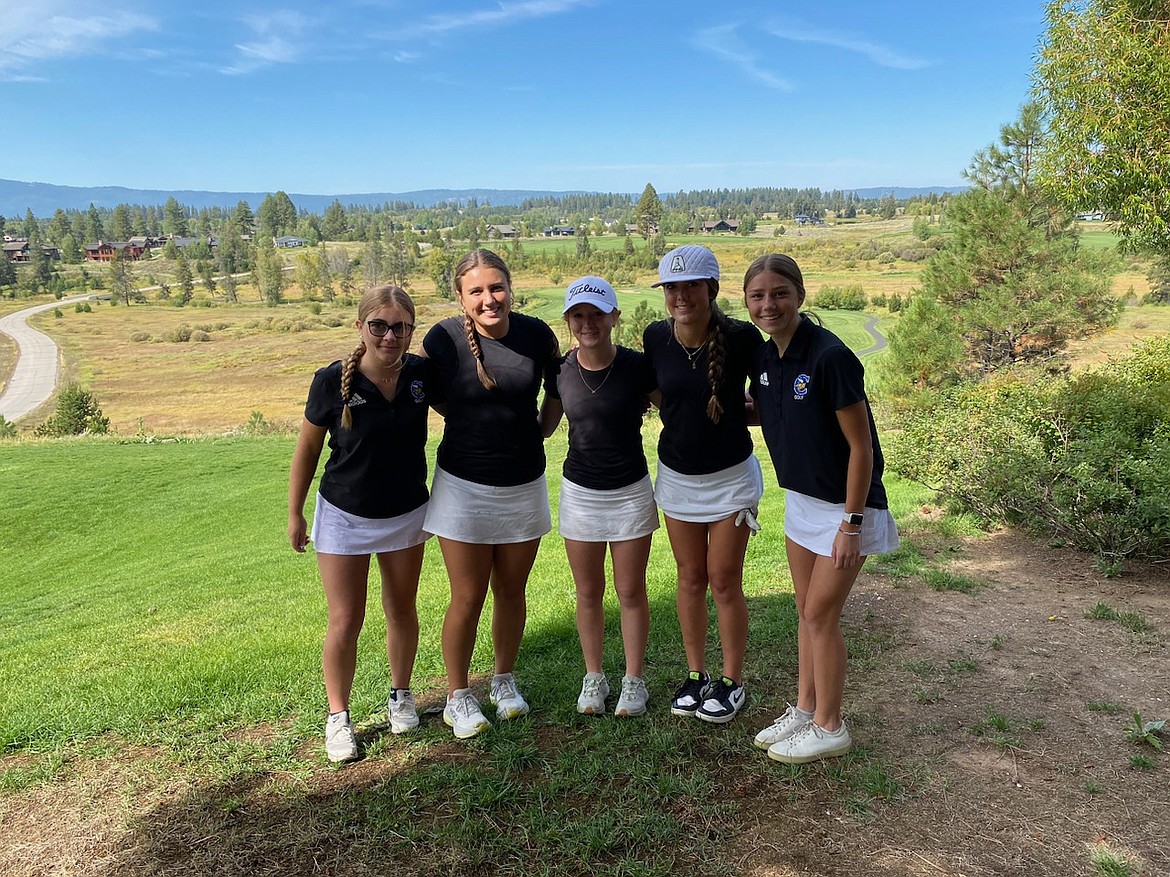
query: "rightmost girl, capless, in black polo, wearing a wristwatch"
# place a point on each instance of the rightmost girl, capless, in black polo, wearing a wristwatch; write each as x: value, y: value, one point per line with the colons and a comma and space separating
x: 811, y: 399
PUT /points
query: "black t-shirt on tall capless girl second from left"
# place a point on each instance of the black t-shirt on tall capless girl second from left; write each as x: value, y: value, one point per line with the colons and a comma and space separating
x: 492, y: 437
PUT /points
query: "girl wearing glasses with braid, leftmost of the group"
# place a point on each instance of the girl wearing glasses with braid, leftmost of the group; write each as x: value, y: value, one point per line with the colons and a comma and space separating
x: 371, y: 501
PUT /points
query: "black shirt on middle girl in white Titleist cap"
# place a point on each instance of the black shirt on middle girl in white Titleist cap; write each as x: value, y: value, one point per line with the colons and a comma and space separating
x: 605, y: 413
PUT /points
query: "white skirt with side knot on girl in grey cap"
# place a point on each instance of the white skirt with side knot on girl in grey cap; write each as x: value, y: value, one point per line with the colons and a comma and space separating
x: 707, y: 499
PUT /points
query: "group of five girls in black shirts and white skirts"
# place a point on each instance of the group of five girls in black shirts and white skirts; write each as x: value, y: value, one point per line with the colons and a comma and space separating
x: 484, y: 371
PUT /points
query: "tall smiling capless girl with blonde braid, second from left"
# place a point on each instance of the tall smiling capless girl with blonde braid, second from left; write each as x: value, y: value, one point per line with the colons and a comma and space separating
x: 490, y: 502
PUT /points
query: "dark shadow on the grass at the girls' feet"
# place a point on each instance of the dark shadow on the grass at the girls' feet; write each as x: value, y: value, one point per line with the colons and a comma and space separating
x: 553, y: 793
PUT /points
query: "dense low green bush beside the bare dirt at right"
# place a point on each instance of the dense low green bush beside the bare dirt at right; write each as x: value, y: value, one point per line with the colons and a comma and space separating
x: 1085, y: 460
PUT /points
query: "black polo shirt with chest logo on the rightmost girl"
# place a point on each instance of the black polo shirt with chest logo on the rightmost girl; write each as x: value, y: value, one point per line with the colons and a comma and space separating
x: 799, y: 397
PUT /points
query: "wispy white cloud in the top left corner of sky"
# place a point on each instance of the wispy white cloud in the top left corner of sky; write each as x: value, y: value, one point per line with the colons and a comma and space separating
x: 31, y: 33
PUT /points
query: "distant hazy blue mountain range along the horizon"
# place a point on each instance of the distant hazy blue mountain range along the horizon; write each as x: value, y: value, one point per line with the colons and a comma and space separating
x: 44, y: 198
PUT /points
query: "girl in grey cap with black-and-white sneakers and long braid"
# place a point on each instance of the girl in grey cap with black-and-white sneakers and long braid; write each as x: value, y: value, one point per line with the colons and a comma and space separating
x: 710, y: 482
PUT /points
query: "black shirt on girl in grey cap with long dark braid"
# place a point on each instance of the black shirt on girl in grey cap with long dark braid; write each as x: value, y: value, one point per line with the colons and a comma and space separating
x: 691, y: 444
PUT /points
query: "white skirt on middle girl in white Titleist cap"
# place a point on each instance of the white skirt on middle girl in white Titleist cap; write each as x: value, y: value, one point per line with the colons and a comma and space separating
x: 608, y: 516
